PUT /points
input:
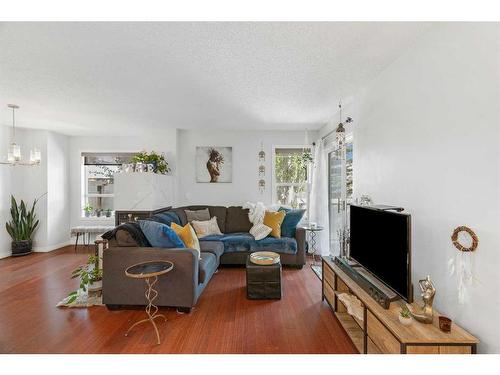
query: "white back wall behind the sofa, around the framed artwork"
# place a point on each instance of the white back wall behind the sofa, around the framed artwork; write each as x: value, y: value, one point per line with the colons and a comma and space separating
x: 246, y: 146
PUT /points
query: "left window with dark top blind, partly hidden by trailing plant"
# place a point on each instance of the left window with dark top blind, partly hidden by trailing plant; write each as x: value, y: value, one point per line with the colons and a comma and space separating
x: 97, y: 182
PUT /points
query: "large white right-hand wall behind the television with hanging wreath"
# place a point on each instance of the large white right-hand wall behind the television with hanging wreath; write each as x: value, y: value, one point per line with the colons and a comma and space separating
x: 426, y: 137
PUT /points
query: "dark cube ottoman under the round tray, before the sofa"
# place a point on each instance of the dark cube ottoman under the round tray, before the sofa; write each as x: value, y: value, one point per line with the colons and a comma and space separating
x: 263, y: 282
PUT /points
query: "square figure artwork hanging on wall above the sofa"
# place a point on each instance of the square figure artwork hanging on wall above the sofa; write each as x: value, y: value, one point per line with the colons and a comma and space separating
x: 214, y: 164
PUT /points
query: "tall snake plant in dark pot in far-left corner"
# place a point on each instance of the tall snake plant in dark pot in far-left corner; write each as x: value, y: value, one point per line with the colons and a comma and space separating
x: 21, y: 227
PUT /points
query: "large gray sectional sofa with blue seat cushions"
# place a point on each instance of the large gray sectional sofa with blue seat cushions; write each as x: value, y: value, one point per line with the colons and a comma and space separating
x: 183, y: 286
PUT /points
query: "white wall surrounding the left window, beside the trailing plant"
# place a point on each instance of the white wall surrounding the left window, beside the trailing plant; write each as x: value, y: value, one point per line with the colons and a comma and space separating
x: 159, y: 141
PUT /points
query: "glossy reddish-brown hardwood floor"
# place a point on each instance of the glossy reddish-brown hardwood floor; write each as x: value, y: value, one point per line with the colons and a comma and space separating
x: 224, y: 321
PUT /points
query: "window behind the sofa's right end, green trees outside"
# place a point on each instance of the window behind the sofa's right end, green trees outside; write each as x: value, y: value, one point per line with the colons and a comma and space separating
x: 291, y: 172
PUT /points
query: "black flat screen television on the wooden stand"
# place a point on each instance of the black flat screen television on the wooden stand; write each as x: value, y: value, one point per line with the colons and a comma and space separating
x: 381, y: 243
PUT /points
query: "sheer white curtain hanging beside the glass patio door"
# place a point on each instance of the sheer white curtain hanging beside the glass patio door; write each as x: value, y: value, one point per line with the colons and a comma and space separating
x: 319, y: 197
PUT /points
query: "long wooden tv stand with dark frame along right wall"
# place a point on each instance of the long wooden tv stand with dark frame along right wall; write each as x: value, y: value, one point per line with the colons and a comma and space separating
x: 380, y: 331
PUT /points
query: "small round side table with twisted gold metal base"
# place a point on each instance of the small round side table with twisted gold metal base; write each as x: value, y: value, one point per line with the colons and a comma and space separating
x: 149, y: 271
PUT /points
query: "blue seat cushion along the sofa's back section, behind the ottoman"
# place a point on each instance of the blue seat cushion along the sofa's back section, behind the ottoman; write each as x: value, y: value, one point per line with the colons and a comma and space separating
x: 245, y: 242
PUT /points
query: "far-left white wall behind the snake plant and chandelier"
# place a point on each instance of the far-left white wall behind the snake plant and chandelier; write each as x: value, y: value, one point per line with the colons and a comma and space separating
x: 48, y: 181
